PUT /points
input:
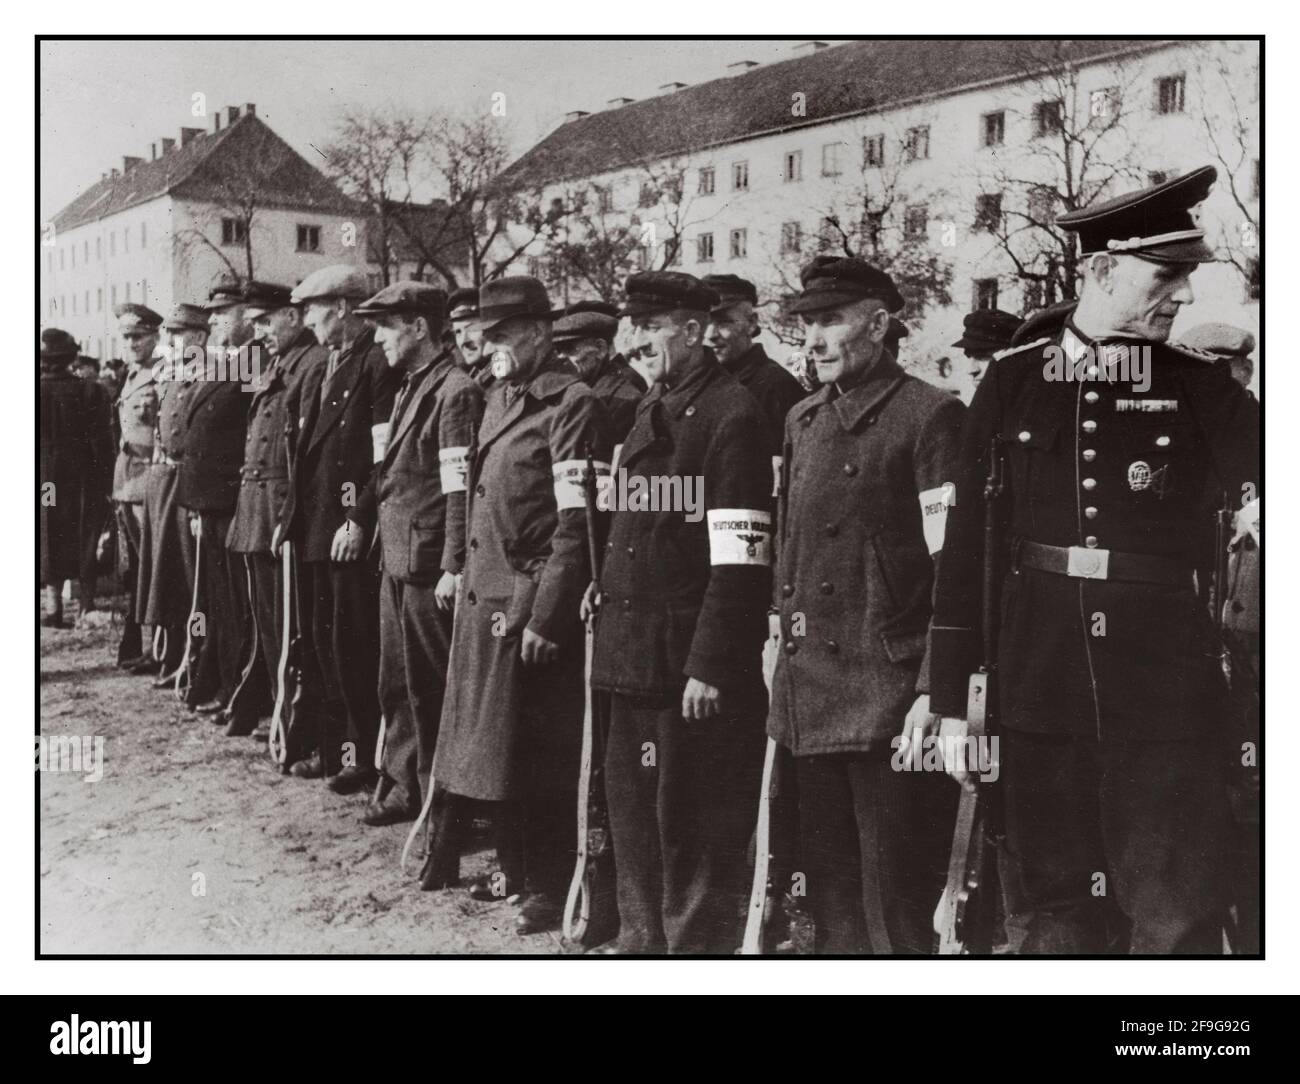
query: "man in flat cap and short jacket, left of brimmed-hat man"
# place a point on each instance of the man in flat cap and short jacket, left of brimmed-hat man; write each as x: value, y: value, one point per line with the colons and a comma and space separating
x: 421, y: 496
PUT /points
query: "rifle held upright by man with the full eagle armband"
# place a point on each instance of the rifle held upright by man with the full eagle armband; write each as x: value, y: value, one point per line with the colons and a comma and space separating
x: 590, y: 905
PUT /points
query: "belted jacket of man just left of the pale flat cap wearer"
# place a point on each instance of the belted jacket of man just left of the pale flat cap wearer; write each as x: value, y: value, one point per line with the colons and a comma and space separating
x: 265, y: 476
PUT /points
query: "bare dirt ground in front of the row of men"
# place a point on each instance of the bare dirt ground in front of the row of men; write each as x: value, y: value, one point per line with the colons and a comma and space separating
x: 288, y: 866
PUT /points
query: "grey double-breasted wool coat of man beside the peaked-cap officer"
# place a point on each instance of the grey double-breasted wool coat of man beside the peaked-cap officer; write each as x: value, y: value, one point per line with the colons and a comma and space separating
x: 863, y: 519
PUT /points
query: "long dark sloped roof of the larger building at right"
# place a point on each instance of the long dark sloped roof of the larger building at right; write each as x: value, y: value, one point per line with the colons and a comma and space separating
x: 855, y: 79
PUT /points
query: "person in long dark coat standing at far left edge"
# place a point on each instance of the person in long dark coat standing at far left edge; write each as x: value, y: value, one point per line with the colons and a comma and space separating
x: 76, y: 465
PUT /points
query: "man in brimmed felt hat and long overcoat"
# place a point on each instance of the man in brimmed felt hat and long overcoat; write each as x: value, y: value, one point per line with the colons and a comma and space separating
x: 513, y: 717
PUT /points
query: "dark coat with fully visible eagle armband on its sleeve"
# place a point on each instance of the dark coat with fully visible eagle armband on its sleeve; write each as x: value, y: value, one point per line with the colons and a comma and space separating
x: 688, y: 600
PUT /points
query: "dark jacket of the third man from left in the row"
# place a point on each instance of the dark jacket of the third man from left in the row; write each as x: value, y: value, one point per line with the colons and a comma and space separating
x: 216, y: 420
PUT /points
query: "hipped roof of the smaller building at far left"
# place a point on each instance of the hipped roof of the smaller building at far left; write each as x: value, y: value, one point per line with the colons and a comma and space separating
x: 205, y: 168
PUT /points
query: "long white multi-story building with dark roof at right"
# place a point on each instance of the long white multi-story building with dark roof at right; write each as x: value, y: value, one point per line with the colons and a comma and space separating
x: 943, y: 161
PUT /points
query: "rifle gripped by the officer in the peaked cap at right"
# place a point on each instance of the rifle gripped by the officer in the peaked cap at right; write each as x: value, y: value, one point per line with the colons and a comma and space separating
x: 964, y: 918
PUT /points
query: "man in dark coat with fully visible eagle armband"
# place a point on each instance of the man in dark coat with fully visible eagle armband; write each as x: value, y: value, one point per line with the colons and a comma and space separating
x: 681, y: 631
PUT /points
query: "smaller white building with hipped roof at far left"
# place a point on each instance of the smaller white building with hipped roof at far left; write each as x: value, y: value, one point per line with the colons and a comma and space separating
x: 235, y: 202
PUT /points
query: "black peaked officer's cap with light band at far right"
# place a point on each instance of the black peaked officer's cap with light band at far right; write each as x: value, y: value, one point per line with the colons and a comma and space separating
x: 1155, y: 224
